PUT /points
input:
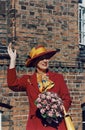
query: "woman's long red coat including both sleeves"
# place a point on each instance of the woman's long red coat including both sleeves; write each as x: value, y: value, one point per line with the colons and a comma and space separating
x: 29, y: 84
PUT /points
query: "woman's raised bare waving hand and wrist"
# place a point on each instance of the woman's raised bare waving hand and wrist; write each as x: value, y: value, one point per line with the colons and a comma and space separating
x: 12, y: 55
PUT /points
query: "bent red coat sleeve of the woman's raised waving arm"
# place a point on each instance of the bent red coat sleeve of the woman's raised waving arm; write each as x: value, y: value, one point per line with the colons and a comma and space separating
x: 15, y: 83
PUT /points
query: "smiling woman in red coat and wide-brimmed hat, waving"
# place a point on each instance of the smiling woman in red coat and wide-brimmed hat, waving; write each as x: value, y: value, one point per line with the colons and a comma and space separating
x: 32, y: 84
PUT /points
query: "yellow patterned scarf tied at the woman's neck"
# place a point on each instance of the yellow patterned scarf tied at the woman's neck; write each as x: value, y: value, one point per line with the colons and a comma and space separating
x: 44, y: 83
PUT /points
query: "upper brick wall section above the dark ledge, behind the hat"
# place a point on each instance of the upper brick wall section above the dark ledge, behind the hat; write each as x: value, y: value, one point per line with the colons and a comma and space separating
x: 48, y: 23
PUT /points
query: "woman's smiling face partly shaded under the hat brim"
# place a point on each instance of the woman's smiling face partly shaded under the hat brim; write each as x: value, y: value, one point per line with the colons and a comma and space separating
x: 43, y: 64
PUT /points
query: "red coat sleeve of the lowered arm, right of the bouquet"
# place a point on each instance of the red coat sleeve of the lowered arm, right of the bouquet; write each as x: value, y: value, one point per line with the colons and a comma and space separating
x: 64, y: 92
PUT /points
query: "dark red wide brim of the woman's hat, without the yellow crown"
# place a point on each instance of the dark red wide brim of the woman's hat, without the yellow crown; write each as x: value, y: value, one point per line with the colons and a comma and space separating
x: 45, y: 55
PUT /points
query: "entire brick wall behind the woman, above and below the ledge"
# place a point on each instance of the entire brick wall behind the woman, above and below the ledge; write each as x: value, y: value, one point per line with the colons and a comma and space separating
x: 51, y: 23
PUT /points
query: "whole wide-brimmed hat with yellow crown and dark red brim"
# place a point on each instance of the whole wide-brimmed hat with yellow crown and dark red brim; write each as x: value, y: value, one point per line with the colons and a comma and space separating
x: 39, y: 53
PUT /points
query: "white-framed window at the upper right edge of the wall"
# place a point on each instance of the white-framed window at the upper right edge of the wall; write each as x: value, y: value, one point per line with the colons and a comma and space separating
x: 82, y: 22
